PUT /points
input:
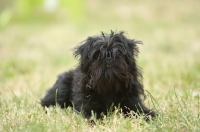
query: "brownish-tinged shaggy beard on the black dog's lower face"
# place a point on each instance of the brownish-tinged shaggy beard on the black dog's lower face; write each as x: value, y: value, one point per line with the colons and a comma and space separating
x: 109, y: 79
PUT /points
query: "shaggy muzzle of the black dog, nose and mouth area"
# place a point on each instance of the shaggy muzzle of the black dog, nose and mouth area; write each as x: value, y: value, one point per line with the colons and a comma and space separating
x: 109, y: 71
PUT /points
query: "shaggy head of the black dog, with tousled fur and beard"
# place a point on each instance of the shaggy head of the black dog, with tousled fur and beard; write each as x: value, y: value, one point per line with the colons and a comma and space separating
x: 108, y: 62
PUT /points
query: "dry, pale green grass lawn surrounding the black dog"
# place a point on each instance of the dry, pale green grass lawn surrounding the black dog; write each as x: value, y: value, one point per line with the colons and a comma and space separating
x: 33, y: 54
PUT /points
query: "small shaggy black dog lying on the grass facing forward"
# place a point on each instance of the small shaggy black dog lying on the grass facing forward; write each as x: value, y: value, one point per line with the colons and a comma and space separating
x: 106, y: 76
